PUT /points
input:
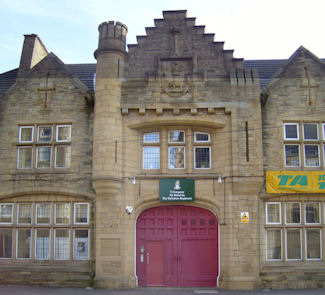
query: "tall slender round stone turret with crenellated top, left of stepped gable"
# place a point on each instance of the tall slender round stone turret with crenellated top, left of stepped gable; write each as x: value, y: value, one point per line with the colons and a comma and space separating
x: 110, y: 57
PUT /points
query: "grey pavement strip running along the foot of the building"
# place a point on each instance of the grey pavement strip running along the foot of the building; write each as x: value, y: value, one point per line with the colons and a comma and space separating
x: 35, y: 290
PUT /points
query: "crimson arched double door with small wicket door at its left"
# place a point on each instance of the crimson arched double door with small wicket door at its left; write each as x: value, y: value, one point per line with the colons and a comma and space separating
x: 177, y: 246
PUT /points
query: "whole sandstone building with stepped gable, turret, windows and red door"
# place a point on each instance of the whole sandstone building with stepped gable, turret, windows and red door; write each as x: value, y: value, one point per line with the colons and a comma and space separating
x: 158, y: 165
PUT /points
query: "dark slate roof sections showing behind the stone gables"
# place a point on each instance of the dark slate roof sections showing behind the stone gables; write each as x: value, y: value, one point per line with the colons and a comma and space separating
x: 85, y: 72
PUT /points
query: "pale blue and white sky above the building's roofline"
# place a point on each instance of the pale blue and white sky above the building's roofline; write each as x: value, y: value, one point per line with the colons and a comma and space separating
x: 255, y: 29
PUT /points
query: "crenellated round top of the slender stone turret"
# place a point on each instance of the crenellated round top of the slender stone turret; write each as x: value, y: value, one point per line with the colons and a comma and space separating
x: 112, y: 37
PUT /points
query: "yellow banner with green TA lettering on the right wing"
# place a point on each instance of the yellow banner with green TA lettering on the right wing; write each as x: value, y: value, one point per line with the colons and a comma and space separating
x: 295, y: 182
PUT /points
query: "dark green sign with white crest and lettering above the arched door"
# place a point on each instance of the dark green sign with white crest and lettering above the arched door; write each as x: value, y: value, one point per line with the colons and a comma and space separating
x: 176, y: 189
